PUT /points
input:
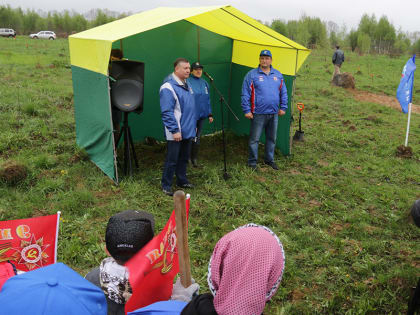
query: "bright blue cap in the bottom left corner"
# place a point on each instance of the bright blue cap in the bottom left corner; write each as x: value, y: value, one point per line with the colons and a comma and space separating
x: 54, y: 289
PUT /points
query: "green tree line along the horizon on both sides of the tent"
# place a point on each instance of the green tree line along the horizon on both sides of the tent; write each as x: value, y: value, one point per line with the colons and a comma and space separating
x: 371, y: 36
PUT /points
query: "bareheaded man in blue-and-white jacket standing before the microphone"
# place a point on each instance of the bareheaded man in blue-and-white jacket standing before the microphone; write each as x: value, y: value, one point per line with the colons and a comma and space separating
x: 179, y: 119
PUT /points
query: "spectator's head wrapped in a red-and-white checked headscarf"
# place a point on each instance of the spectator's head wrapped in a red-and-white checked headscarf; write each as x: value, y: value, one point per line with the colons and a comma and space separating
x: 245, y: 270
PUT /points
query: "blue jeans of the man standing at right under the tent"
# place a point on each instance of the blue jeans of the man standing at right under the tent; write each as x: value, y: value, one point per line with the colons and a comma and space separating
x: 268, y: 123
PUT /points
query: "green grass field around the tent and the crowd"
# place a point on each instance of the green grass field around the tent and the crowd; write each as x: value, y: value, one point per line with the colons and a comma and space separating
x: 340, y: 203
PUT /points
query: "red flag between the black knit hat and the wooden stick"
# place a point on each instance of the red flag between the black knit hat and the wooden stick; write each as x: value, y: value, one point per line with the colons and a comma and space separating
x: 153, y: 269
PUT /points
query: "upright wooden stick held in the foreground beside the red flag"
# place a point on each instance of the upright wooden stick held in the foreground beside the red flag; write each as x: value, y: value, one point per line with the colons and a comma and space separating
x: 182, y: 238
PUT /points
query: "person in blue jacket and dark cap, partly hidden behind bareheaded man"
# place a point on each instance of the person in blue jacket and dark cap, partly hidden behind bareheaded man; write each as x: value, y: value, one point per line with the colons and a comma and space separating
x: 202, y: 104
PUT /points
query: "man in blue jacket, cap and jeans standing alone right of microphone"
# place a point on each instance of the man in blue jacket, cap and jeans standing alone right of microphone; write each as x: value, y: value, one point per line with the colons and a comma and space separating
x: 264, y: 98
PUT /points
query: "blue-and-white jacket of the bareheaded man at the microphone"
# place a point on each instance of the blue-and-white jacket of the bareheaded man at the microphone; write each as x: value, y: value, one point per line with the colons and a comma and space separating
x: 177, y: 107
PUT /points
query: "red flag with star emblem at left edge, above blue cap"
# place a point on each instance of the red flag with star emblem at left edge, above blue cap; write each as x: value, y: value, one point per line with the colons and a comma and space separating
x: 29, y: 243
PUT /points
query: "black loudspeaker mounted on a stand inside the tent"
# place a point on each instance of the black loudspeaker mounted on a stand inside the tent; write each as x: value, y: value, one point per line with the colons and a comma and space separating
x: 127, y: 90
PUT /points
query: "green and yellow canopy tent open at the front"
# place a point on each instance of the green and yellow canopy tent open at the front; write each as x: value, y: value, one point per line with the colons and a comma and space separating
x: 225, y: 40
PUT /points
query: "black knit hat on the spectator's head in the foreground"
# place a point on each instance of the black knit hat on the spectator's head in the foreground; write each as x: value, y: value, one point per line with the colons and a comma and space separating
x: 127, y: 232
